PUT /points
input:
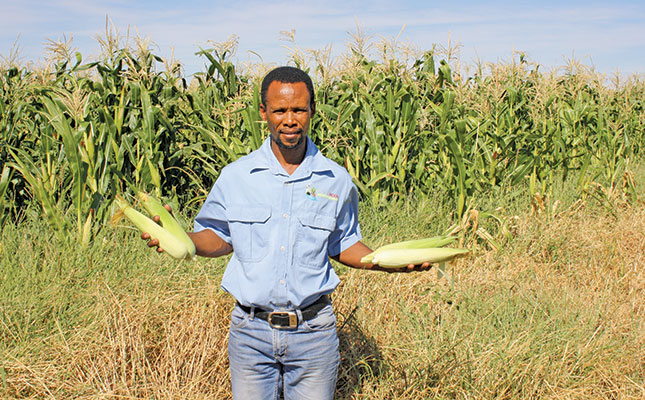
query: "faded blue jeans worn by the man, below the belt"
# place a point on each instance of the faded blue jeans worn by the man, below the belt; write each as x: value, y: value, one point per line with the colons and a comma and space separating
x: 303, y: 360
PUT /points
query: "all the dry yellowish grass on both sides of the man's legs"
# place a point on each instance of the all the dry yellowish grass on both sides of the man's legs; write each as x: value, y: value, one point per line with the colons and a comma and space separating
x: 557, y: 314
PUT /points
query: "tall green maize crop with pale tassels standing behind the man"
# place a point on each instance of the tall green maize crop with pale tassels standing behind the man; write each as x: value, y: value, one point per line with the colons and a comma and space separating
x: 74, y: 134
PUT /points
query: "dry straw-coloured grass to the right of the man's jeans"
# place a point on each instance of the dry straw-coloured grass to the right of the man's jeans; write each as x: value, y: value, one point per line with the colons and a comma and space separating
x: 559, y: 313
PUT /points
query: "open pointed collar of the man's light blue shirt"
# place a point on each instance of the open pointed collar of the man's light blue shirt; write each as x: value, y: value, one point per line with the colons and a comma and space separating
x: 313, y: 161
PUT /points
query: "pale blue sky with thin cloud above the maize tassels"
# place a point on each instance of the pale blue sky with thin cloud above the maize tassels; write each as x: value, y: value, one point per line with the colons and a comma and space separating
x: 607, y: 35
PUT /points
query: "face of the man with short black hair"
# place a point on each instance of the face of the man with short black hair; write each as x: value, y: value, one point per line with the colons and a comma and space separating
x: 287, y: 113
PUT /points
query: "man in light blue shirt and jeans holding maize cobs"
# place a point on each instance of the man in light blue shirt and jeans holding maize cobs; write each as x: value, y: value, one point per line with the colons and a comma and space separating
x: 283, y: 210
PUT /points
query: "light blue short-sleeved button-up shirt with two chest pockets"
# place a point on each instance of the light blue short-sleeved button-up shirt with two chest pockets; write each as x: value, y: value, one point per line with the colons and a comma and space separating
x: 282, y: 227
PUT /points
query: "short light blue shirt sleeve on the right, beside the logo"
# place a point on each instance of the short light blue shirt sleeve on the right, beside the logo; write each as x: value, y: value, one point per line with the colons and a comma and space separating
x: 348, y: 230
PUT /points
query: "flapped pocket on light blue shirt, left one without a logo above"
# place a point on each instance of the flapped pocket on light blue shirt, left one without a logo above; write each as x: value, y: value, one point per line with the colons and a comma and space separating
x: 249, y: 232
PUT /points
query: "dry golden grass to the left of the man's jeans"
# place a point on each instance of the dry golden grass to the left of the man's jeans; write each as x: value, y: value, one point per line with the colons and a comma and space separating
x: 170, y: 346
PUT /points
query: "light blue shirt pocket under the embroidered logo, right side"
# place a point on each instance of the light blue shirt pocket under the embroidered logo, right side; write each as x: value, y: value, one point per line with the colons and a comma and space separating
x: 312, y: 240
